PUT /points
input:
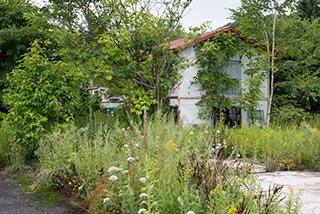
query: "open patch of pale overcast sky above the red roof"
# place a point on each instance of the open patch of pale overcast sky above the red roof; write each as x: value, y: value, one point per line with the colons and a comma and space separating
x: 215, y: 11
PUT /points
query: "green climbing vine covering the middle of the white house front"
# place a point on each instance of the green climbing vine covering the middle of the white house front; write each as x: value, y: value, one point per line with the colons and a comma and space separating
x: 212, y: 56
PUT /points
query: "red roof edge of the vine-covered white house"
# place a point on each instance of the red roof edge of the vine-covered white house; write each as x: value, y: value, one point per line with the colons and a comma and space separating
x: 180, y: 44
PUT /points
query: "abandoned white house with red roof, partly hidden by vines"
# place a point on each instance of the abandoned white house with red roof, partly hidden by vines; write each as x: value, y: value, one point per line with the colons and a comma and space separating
x: 186, y: 95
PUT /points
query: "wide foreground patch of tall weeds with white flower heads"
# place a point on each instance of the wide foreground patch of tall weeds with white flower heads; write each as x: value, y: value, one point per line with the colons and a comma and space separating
x: 165, y: 168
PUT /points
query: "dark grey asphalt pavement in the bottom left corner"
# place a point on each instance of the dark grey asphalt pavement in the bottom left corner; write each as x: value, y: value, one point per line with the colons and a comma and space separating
x: 12, y: 201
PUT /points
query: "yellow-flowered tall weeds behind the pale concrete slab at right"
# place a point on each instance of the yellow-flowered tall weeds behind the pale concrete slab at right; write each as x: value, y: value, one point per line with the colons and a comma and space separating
x: 280, y: 148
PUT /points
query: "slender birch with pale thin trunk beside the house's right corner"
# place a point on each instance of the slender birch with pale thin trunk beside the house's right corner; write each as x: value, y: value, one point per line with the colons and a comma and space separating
x: 258, y: 20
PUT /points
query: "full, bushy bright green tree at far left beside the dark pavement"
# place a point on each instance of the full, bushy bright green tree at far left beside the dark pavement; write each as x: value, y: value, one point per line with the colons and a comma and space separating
x: 42, y: 94
